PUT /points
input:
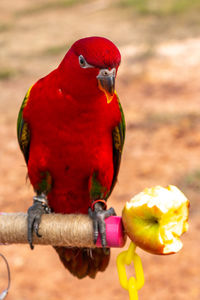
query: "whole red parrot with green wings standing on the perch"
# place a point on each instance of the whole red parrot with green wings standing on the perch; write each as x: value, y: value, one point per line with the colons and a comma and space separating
x: 71, y: 131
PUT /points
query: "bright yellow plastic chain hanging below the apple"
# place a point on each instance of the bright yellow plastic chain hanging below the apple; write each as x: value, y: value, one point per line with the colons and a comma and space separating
x: 132, y: 284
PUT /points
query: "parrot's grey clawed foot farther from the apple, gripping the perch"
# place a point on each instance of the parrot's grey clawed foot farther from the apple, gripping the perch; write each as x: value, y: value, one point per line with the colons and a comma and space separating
x: 35, y: 213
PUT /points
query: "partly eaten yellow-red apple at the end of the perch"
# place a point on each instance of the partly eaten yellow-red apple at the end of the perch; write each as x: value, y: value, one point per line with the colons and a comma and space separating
x: 155, y: 219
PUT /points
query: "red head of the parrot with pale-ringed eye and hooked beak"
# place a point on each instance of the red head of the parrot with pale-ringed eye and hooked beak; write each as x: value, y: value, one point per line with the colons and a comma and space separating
x: 90, y: 67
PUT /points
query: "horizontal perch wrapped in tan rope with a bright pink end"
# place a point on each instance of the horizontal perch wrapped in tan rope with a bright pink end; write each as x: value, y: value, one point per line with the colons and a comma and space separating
x: 68, y: 230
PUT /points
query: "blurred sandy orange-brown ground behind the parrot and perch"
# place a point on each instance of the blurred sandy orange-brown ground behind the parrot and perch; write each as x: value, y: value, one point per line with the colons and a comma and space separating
x: 158, y: 84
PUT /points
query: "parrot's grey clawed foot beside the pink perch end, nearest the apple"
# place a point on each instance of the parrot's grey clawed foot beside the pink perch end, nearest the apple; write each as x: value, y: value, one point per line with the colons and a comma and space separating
x: 98, y: 216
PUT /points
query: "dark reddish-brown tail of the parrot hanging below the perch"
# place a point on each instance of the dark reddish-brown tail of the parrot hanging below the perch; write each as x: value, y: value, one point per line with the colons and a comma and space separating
x: 82, y: 262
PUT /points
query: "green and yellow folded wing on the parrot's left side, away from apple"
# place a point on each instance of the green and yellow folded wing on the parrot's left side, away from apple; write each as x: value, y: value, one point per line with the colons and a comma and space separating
x: 23, y: 132
